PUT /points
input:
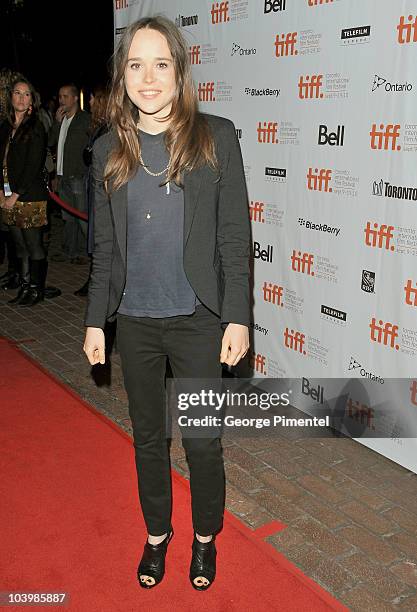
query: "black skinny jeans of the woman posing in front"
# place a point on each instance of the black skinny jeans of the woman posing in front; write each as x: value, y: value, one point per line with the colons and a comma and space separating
x: 192, y: 344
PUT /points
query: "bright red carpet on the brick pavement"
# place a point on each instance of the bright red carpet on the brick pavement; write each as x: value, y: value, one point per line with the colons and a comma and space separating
x: 70, y: 520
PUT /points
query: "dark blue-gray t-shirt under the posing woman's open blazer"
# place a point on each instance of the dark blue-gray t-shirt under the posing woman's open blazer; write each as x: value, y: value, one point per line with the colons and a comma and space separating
x: 156, y: 284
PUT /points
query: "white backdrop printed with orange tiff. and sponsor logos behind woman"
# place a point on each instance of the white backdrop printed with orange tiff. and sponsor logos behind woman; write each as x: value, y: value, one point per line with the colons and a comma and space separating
x: 323, y: 94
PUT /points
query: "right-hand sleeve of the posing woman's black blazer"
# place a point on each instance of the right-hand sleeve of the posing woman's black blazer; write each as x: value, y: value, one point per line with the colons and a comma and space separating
x: 233, y: 232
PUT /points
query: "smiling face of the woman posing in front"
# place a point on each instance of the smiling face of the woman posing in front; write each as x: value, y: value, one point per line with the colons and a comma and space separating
x: 150, y: 74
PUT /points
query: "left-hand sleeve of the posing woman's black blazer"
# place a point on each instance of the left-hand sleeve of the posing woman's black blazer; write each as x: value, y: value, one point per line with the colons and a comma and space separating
x: 99, y: 286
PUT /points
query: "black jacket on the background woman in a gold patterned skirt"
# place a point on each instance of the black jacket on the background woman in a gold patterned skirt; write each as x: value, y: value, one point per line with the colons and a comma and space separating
x: 25, y: 160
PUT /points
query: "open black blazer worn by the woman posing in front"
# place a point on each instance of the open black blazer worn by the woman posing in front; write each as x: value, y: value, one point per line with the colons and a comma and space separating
x: 216, y: 234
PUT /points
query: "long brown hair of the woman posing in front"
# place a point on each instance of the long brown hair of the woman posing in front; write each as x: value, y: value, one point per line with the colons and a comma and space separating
x: 187, y: 138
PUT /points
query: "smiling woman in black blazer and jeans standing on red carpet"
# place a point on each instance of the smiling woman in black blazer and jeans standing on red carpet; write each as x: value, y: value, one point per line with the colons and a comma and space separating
x: 171, y: 263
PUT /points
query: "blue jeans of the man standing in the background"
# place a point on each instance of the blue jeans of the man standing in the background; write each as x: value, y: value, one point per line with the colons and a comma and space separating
x: 72, y: 190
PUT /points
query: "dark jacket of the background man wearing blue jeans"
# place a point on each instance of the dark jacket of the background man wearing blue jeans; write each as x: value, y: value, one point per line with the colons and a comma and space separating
x: 77, y: 139
